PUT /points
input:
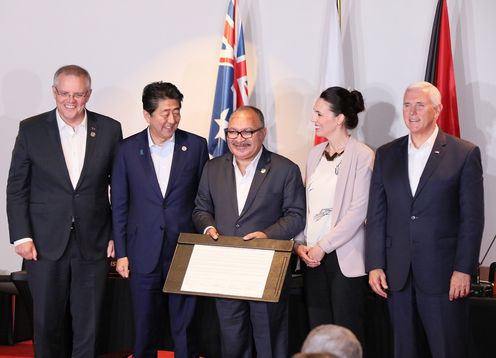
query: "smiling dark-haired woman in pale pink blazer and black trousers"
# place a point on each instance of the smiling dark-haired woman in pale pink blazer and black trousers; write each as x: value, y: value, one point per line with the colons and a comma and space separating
x: 331, y: 248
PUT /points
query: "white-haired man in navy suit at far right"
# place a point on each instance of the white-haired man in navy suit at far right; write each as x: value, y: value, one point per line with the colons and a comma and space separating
x: 424, y: 228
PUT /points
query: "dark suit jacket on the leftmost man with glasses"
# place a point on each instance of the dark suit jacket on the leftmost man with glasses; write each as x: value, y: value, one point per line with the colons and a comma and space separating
x: 41, y: 201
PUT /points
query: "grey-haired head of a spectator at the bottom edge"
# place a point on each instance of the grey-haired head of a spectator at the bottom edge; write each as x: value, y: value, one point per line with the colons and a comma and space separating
x: 333, y: 339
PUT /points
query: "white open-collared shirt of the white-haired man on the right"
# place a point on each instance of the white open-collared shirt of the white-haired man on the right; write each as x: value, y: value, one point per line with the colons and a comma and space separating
x: 417, y: 159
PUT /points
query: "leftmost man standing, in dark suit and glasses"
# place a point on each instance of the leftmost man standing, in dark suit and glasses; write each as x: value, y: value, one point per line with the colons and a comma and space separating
x: 59, y: 213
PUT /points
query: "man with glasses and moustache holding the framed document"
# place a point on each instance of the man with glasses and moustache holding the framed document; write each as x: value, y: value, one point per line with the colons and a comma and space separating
x: 251, y: 193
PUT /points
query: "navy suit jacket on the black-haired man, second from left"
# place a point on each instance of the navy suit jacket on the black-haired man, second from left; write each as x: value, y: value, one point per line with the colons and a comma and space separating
x: 143, y: 219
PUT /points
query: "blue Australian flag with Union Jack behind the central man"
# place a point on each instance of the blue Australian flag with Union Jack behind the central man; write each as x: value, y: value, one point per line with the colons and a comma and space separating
x: 231, y: 90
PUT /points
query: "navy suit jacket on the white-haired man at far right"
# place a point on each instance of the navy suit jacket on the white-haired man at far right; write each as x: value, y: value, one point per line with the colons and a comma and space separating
x: 437, y: 230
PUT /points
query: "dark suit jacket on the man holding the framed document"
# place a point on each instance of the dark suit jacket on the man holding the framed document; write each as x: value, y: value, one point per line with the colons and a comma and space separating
x: 275, y: 202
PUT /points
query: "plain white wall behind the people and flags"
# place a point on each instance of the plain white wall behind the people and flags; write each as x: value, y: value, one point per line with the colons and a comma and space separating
x: 126, y: 44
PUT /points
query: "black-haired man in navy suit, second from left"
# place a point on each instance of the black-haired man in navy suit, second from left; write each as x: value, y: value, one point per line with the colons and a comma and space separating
x: 154, y: 183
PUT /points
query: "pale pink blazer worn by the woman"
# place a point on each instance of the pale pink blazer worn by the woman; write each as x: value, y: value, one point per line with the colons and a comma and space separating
x: 347, y: 232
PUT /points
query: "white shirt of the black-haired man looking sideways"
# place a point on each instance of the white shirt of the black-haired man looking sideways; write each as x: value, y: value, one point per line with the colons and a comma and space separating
x: 162, y: 160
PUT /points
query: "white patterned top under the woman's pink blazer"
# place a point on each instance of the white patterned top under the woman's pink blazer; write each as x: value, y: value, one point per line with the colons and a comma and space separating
x: 320, y: 197
